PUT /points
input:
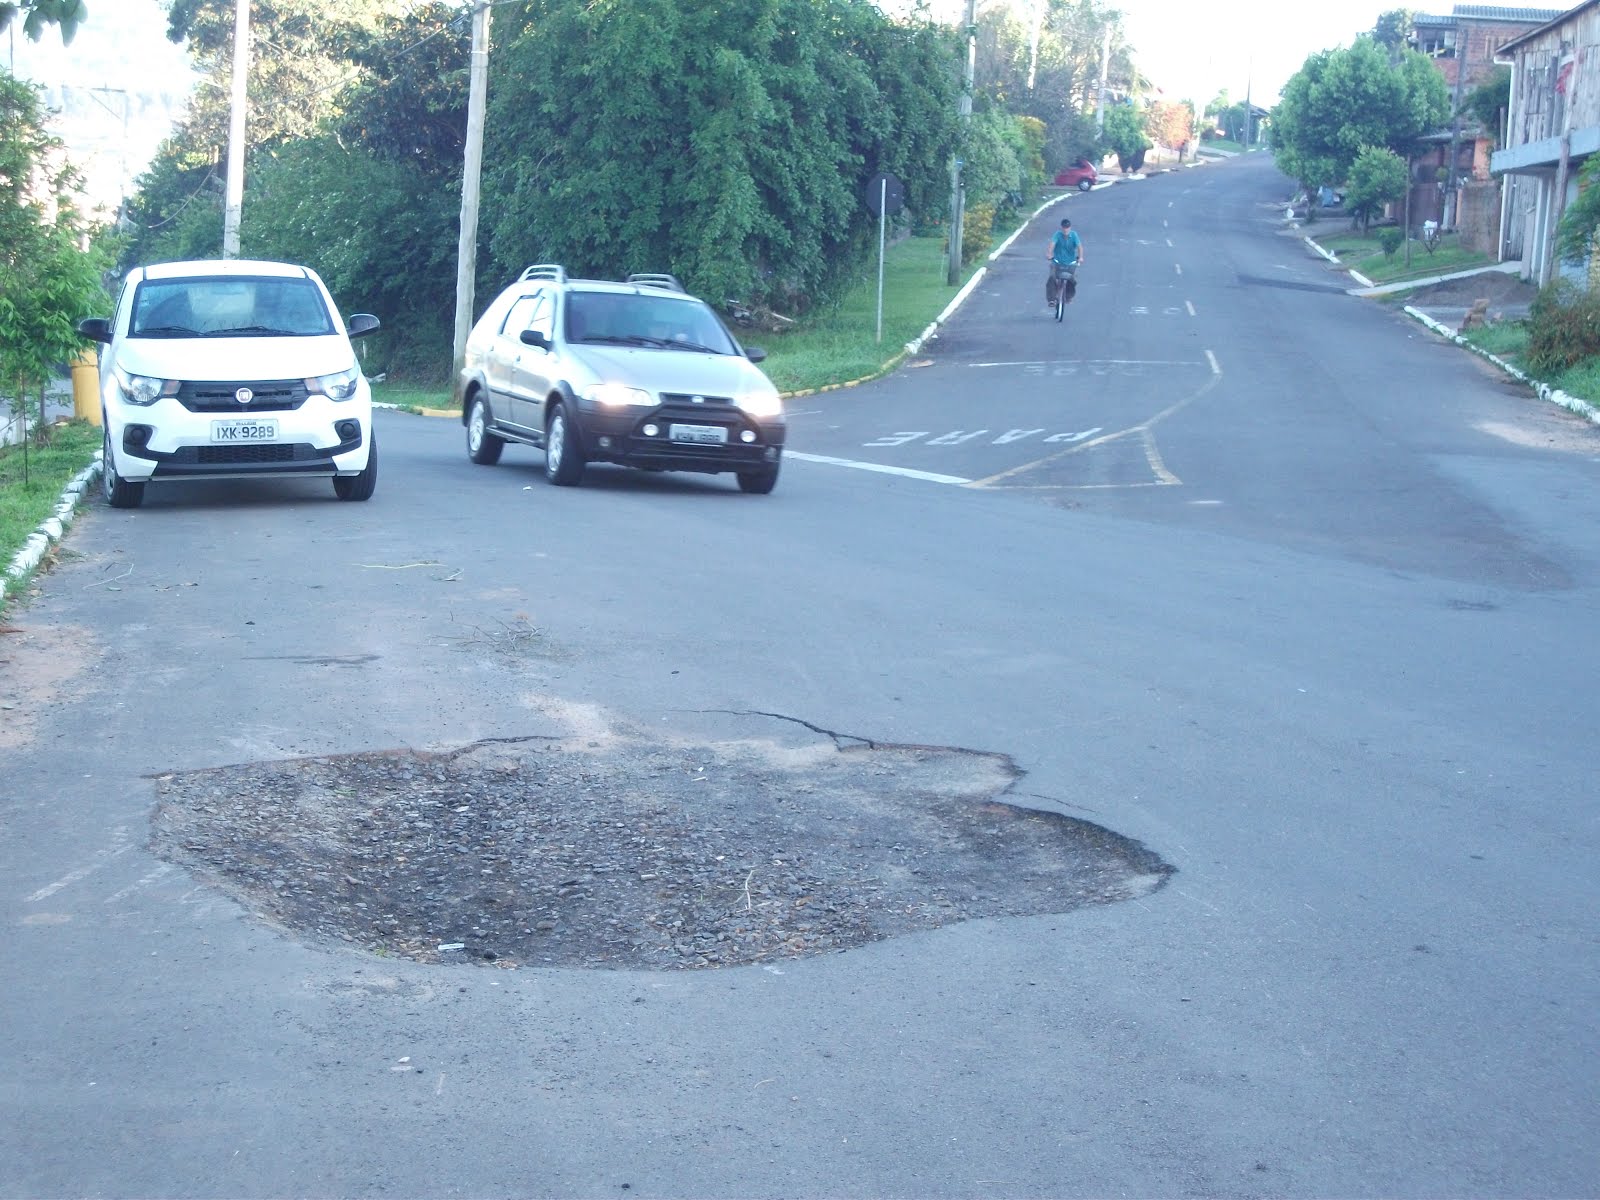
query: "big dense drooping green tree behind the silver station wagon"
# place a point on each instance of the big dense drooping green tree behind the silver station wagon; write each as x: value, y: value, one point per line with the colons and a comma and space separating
x: 666, y: 137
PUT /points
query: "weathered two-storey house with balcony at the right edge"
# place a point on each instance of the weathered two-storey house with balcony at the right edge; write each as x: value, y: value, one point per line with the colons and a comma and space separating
x: 1554, y: 126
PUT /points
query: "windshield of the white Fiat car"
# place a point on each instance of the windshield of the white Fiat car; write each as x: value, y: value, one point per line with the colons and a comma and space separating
x: 230, y: 308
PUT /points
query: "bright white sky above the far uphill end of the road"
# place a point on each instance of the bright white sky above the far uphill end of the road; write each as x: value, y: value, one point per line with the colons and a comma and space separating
x: 1193, y: 50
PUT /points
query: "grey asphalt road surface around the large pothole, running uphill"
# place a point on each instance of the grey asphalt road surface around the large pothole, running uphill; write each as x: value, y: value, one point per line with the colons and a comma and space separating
x: 1231, y: 564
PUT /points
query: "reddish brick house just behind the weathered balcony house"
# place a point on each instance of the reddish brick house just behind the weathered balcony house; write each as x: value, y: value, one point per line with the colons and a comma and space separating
x: 1465, y: 47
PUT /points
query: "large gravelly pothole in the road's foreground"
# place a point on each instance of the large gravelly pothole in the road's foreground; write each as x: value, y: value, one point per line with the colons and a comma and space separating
x: 636, y: 854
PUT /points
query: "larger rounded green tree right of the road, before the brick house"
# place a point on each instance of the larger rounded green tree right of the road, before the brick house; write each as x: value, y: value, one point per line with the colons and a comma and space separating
x: 1343, y: 102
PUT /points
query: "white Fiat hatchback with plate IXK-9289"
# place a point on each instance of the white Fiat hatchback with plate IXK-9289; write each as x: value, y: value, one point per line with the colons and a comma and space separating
x: 231, y: 369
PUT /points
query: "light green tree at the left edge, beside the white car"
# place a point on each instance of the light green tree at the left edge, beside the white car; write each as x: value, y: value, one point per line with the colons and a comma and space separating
x: 49, y: 281
